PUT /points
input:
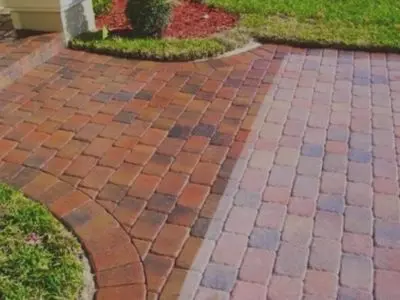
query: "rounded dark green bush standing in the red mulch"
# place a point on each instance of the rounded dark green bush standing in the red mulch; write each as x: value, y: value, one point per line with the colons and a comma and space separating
x: 148, y: 18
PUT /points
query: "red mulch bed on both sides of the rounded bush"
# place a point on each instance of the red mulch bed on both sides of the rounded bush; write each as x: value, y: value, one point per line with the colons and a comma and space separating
x: 189, y: 20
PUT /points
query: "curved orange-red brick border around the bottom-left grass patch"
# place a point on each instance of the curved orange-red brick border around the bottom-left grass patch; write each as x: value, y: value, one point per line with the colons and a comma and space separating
x: 101, y: 236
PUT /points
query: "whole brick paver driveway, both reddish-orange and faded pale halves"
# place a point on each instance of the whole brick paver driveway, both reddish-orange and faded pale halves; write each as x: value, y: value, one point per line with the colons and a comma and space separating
x: 272, y: 174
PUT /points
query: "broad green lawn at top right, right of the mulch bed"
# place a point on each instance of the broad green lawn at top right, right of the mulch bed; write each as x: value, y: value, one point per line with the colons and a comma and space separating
x: 346, y: 23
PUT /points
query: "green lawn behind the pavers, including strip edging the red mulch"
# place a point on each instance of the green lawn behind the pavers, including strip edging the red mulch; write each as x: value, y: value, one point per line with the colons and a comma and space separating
x: 349, y: 24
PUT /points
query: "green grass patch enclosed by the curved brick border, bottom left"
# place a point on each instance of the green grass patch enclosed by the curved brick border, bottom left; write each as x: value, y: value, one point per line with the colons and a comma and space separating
x: 39, y: 259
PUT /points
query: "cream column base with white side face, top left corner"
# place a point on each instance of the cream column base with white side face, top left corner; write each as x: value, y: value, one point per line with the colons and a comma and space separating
x: 69, y: 16
